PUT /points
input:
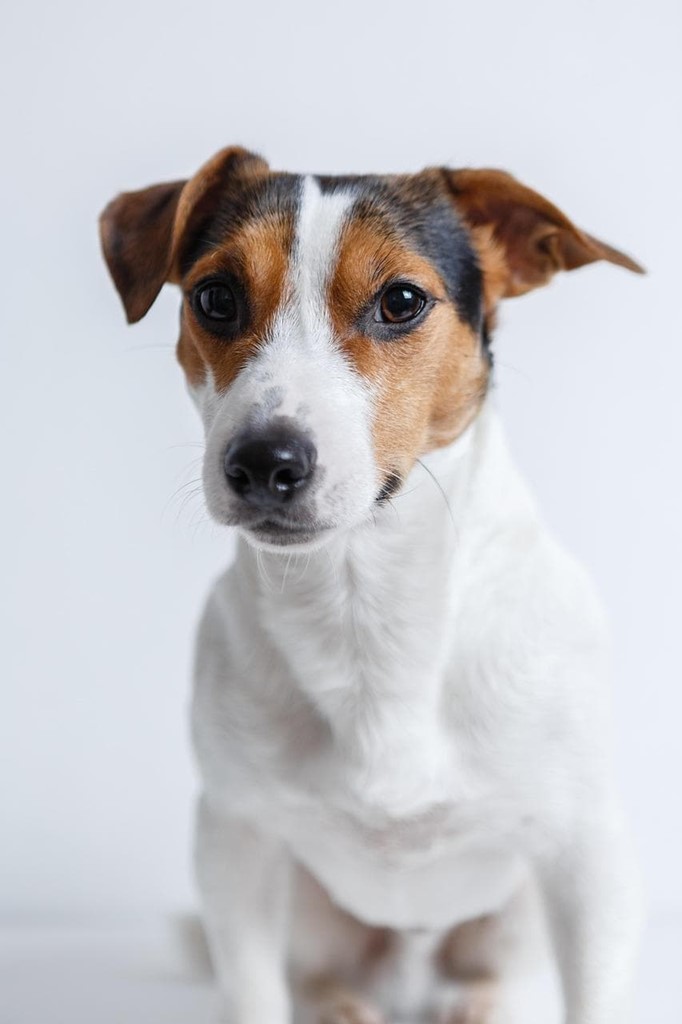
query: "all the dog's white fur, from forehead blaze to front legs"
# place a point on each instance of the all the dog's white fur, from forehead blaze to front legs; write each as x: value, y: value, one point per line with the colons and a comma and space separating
x: 412, y: 714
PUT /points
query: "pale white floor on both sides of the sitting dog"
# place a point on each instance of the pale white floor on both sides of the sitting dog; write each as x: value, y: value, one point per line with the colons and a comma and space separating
x: 152, y: 974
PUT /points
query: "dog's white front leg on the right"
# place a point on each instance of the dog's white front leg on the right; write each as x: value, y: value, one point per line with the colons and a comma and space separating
x: 592, y: 894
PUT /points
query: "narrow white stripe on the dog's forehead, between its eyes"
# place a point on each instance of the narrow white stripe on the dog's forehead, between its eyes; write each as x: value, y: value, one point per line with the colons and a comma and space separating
x: 320, y: 224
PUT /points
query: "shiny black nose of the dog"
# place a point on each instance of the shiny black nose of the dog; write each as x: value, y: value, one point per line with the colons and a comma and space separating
x: 269, y: 470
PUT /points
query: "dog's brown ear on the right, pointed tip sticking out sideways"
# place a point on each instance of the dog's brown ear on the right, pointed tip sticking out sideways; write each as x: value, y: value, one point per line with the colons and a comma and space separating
x: 525, y: 238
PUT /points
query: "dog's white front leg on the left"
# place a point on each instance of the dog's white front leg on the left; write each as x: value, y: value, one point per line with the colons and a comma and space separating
x: 244, y: 879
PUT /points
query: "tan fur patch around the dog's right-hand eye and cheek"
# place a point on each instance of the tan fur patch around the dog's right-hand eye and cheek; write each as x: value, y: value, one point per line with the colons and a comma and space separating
x: 429, y: 383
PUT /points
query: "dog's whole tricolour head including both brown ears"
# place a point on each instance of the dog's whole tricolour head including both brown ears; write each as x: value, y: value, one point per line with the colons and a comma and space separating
x: 333, y: 330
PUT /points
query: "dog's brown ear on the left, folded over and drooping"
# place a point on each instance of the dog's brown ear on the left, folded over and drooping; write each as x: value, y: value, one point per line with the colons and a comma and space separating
x: 142, y: 231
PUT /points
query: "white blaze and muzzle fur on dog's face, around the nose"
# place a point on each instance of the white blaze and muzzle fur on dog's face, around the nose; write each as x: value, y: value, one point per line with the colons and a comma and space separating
x: 301, y: 373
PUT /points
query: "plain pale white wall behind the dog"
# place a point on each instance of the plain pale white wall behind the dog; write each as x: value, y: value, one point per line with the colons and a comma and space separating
x: 106, y: 565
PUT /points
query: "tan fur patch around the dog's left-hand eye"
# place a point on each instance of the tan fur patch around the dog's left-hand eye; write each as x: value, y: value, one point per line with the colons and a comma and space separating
x: 258, y: 254
